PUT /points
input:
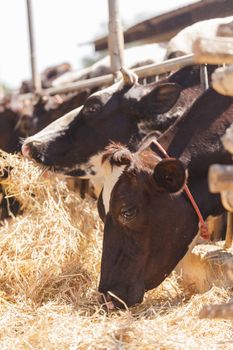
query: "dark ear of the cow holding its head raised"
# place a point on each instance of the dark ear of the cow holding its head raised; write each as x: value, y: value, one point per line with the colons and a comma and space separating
x: 161, y: 99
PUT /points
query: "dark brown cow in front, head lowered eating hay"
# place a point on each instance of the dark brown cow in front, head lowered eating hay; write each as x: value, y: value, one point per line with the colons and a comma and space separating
x: 148, y: 220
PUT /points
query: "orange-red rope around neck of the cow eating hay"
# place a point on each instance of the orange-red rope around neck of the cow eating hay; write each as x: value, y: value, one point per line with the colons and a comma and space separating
x: 202, y: 226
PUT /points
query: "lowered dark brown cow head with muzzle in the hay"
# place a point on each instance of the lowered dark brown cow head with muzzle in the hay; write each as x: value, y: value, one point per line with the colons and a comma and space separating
x: 148, y: 222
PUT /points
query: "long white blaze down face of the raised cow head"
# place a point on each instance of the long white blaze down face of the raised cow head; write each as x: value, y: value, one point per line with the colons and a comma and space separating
x: 53, y: 129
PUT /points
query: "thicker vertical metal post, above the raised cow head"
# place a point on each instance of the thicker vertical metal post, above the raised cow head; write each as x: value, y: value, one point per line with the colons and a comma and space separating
x: 115, y: 37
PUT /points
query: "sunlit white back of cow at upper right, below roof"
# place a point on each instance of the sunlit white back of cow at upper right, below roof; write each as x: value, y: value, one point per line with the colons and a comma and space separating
x: 182, y: 43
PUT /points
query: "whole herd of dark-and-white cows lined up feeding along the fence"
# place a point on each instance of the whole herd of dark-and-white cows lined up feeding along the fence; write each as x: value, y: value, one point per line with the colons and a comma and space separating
x: 110, y: 137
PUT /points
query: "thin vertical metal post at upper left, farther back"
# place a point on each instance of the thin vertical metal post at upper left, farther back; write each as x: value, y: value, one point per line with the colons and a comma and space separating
x: 36, y: 82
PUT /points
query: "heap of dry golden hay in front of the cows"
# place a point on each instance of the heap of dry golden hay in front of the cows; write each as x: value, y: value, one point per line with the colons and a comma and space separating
x: 49, y: 270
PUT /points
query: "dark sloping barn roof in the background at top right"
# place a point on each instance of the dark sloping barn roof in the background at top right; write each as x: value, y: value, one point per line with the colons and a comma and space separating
x: 163, y: 27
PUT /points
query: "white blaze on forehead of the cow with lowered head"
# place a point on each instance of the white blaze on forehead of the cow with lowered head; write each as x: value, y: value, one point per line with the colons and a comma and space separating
x: 111, y: 177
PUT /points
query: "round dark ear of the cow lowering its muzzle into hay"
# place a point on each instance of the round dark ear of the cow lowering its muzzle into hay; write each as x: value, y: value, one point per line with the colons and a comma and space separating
x: 170, y: 175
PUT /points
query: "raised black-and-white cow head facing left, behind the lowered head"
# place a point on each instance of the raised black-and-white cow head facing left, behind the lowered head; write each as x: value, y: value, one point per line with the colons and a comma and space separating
x: 73, y: 144
